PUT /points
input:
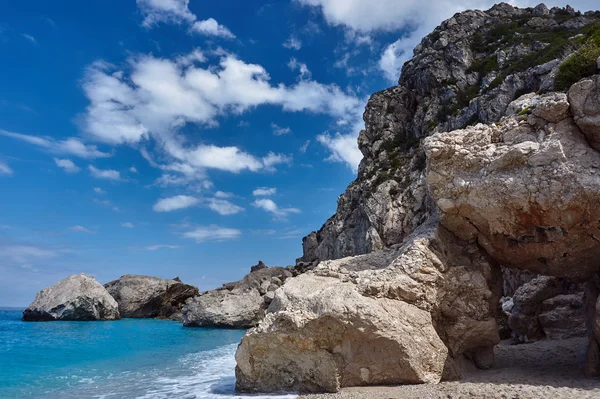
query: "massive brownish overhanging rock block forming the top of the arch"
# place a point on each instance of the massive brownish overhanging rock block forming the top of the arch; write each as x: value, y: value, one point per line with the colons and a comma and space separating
x: 526, y: 189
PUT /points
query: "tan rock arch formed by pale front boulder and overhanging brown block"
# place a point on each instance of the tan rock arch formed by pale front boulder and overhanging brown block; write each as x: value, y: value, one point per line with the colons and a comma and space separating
x: 523, y: 192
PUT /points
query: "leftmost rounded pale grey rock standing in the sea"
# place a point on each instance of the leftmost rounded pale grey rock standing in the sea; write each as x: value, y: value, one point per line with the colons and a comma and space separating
x: 77, y: 298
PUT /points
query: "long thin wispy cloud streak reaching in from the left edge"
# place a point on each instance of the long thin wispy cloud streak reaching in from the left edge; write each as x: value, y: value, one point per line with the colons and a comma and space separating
x: 70, y: 146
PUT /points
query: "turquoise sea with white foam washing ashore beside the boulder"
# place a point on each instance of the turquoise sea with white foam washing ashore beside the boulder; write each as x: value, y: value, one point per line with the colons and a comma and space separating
x: 129, y: 358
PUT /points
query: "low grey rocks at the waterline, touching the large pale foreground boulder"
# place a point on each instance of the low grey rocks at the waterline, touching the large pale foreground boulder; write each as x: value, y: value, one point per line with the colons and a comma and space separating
x: 240, y: 304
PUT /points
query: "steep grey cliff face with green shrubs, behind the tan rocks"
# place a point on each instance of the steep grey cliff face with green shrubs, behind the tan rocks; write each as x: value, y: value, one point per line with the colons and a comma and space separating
x: 467, y: 71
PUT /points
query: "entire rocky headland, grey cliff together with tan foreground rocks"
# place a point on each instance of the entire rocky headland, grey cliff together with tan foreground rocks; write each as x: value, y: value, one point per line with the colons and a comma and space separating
x: 484, y: 159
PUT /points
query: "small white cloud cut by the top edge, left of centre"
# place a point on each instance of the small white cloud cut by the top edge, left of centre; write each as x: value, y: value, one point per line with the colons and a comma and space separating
x: 165, y: 11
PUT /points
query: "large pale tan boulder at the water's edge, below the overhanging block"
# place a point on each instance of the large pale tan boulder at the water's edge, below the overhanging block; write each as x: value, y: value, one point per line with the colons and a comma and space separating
x: 390, y: 317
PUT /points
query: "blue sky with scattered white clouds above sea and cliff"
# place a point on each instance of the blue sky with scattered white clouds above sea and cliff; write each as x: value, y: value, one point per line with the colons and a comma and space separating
x: 185, y: 137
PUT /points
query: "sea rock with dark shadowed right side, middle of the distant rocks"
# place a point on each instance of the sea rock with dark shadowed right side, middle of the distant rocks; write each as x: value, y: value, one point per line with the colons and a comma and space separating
x: 150, y: 297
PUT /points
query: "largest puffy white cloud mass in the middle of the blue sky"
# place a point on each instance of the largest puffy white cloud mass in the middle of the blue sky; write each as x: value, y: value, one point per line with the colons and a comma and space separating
x: 157, y: 97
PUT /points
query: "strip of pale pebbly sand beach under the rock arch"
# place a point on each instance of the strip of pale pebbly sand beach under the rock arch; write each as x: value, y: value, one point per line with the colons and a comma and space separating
x: 545, y: 369
